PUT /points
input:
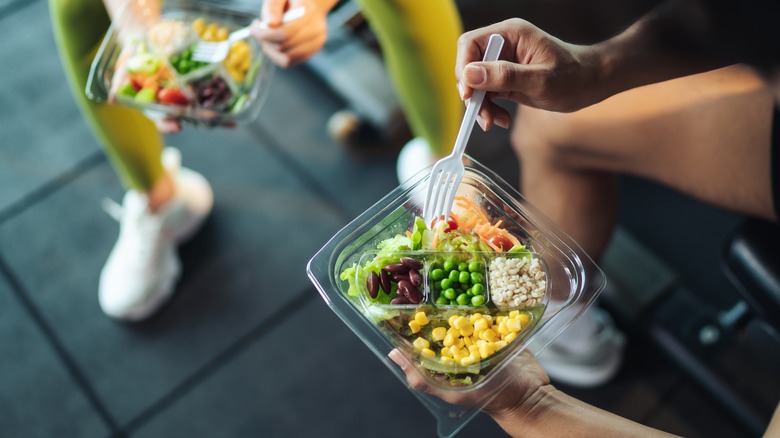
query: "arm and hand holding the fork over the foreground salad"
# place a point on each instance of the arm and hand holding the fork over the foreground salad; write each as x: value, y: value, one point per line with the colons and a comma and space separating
x: 539, y: 70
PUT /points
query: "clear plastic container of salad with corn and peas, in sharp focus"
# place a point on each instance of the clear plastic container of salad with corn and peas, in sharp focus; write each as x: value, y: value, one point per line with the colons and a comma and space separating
x: 460, y: 316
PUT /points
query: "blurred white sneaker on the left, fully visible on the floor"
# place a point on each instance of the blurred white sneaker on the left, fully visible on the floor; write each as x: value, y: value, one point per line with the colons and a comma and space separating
x: 142, y: 269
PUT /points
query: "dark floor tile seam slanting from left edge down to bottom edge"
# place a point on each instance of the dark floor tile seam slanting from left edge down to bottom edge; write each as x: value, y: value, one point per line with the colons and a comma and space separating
x: 65, y: 358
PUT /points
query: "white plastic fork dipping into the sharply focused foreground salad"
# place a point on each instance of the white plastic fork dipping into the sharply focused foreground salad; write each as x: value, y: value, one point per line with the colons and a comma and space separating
x: 446, y: 173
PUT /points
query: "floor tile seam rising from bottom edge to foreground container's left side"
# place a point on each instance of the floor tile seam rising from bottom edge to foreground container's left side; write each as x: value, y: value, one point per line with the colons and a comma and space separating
x: 232, y: 351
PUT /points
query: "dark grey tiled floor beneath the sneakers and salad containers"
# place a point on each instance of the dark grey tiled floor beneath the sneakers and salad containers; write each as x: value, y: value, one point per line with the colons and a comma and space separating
x: 239, y: 351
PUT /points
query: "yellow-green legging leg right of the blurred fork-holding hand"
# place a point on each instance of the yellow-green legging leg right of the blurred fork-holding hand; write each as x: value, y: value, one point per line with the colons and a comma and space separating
x: 419, y: 43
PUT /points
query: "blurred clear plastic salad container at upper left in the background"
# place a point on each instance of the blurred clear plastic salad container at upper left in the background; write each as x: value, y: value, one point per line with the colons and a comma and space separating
x: 151, y: 67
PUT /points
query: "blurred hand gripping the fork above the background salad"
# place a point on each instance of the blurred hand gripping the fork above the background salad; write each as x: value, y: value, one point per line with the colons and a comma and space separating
x: 289, y: 44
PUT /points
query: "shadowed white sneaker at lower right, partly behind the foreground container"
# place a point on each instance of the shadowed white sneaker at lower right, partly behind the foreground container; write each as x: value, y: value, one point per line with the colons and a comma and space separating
x: 588, y: 354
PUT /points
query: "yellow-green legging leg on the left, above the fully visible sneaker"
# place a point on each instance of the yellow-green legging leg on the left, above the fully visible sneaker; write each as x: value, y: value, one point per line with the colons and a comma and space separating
x: 131, y: 141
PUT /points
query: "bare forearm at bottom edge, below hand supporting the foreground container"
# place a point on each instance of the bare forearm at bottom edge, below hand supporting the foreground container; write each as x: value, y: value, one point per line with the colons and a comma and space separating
x: 551, y: 413
